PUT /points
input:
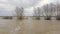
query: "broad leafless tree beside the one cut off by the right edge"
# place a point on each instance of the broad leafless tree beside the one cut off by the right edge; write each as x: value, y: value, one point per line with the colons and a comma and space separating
x: 49, y: 10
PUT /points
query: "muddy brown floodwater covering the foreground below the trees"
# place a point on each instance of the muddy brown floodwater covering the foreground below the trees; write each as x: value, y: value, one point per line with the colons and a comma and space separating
x: 29, y: 26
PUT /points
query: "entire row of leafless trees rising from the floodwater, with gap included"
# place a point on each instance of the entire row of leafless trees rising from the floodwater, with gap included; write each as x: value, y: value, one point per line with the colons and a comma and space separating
x: 48, y: 11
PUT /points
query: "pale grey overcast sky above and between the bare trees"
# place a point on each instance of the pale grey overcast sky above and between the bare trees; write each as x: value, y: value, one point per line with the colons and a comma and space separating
x: 10, y: 5
